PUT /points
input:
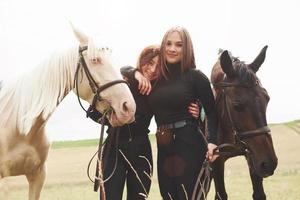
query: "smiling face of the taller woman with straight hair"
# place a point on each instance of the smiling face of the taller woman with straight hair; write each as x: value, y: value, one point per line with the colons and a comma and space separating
x: 173, y: 48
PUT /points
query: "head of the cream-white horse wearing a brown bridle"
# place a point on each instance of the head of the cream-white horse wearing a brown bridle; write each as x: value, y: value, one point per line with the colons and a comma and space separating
x: 98, y: 82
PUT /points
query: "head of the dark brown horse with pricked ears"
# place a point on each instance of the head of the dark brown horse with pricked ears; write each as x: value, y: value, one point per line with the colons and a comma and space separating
x: 244, y: 102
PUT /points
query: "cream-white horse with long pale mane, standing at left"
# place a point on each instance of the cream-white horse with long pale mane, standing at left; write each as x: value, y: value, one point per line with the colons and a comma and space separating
x: 27, y: 103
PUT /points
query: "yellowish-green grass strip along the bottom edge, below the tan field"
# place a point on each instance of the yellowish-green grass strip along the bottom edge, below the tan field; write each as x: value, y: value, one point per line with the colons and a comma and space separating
x: 281, y: 186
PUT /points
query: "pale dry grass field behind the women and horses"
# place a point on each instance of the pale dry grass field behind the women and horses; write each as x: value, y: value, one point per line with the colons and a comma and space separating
x: 67, y: 179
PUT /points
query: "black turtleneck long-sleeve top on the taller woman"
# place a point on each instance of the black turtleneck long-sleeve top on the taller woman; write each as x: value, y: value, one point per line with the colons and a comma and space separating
x: 170, y: 98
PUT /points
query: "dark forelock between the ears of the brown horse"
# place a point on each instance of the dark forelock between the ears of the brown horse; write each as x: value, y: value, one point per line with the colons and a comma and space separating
x: 244, y: 74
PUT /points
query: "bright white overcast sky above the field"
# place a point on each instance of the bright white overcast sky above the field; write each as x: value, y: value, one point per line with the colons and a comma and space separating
x: 31, y: 30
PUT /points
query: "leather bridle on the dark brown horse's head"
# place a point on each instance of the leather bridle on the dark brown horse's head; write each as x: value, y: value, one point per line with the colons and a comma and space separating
x: 240, y: 144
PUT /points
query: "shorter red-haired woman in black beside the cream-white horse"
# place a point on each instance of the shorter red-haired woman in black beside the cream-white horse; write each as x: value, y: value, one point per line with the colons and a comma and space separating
x: 130, y: 159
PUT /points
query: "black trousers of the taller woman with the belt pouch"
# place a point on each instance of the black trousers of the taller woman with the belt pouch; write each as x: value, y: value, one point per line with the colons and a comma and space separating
x: 179, y: 163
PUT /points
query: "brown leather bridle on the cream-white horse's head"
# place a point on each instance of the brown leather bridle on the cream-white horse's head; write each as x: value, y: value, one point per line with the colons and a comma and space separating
x: 96, y: 89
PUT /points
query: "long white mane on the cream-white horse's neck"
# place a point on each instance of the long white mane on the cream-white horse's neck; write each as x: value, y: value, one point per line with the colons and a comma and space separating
x: 38, y: 92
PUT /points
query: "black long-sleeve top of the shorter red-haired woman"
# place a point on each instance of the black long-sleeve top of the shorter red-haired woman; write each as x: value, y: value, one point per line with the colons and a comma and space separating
x: 143, y: 114
